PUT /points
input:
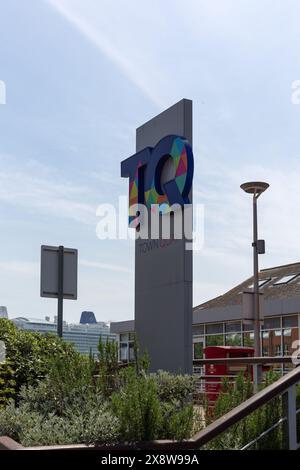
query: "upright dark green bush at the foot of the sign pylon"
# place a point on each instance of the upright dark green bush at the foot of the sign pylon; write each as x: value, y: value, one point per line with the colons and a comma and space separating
x: 143, y: 413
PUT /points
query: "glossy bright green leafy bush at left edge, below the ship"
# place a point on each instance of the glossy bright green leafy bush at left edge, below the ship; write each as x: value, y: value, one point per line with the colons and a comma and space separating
x: 29, y: 354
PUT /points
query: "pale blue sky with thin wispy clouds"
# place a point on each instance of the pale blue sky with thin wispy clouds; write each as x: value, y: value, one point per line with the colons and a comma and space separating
x: 81, y: 75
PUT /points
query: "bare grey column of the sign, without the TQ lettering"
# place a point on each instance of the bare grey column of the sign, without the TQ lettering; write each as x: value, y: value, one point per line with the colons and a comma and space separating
x: 164, y: 270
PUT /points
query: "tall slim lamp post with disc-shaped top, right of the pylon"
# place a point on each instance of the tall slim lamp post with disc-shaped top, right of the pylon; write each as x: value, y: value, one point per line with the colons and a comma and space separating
x: 256, y: 188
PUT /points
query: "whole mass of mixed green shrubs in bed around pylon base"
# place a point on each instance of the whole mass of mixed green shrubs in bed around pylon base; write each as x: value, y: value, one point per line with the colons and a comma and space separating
x: 59, y: 400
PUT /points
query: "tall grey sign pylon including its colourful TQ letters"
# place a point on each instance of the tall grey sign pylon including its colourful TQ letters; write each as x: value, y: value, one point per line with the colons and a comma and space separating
x: 161, y: 172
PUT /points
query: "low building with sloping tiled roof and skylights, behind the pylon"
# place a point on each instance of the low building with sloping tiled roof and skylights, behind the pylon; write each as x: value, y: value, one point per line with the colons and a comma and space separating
x: 220, y: 320
